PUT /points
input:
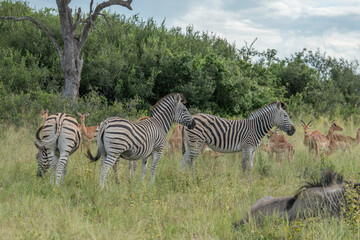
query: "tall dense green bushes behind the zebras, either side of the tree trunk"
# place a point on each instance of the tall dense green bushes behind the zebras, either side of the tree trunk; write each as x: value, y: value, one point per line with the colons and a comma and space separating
x: 134, y: 58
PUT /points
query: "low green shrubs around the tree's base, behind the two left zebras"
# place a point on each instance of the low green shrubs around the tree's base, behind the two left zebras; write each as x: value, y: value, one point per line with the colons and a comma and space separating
x: 24, y: 108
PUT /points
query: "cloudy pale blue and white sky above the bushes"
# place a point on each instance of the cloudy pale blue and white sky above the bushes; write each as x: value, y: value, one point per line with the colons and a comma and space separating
x: 285, y: 25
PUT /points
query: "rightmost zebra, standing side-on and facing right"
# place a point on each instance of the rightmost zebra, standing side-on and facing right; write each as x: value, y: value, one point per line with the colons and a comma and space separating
x: 245, y: 135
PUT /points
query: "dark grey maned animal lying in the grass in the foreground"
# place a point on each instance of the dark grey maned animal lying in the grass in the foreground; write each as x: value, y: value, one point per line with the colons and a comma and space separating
x: 325, y: 197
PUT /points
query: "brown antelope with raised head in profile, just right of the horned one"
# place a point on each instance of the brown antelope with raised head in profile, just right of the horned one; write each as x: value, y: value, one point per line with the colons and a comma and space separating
x: 326, y: 143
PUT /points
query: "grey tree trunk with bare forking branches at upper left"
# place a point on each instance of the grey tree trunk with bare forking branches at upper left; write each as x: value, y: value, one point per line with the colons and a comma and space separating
x: 73, y: 39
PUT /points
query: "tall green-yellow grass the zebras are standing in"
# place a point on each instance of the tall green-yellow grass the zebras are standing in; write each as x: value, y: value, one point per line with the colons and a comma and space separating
x: 177, y: 206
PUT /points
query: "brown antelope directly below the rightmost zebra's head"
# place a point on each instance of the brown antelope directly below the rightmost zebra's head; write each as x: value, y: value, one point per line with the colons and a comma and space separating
x: 279, y: 145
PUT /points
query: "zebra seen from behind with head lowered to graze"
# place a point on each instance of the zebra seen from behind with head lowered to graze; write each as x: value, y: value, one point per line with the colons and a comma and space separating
x: 61, y: 138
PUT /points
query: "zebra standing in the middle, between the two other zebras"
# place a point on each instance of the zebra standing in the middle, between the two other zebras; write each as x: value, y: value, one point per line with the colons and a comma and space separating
x: 119, y: 137
